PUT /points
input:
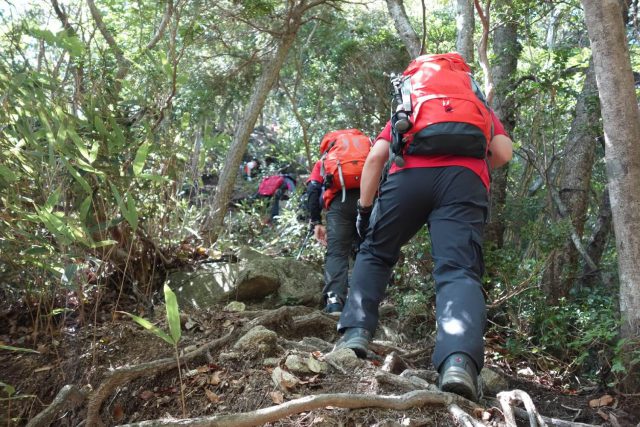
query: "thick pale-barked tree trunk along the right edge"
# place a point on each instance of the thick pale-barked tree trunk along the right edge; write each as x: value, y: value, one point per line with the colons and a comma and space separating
x: 621, y: 119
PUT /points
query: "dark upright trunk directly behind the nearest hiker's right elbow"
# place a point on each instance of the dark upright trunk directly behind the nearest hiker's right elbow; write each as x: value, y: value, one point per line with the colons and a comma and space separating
x: 506, y: 50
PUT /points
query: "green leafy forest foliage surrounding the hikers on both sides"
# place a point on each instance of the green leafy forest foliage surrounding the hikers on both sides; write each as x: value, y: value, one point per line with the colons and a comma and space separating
x: 94, y: 166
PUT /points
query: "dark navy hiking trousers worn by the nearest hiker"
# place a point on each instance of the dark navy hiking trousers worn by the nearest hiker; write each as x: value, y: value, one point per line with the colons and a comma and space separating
x: 453, y: 202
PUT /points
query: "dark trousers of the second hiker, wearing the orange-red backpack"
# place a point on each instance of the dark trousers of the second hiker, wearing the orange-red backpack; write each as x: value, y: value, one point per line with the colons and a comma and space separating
x: 341, y: 238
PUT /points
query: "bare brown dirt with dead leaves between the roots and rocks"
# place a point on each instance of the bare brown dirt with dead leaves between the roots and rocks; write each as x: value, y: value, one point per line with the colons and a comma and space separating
x: 217, y: 384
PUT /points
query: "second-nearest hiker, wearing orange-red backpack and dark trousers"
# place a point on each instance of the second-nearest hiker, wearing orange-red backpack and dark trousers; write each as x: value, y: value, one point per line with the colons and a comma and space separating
x: 334, y: 184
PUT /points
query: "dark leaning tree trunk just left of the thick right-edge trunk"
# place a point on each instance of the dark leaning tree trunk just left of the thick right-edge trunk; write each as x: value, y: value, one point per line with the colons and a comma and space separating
x: 575, y: 182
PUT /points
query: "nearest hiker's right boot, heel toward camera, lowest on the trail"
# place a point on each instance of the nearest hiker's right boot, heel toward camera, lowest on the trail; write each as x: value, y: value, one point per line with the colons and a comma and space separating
x: 459, y: 375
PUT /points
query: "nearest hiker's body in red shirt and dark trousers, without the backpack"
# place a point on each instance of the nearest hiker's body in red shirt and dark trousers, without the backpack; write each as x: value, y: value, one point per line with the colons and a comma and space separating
x: 450, y: 194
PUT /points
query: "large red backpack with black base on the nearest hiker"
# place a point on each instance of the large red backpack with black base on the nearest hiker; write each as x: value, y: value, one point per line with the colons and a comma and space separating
x: 449, y: 113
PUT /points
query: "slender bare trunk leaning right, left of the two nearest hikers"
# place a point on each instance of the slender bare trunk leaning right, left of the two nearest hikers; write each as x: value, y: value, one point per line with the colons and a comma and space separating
x: 240, y: 141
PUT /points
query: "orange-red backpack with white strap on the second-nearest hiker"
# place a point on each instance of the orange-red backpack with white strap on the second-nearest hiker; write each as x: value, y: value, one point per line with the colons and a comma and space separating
x: 343, y: 155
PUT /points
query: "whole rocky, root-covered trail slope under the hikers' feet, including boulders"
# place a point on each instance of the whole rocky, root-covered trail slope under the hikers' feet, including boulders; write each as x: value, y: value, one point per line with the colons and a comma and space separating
x: 260, y: 362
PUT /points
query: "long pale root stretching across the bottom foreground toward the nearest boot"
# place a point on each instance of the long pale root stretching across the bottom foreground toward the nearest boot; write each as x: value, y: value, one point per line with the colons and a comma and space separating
x: 339, y: 400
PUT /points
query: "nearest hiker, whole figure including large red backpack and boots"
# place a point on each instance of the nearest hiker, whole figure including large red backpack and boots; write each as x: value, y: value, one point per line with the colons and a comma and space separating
x: 443, y: 141
